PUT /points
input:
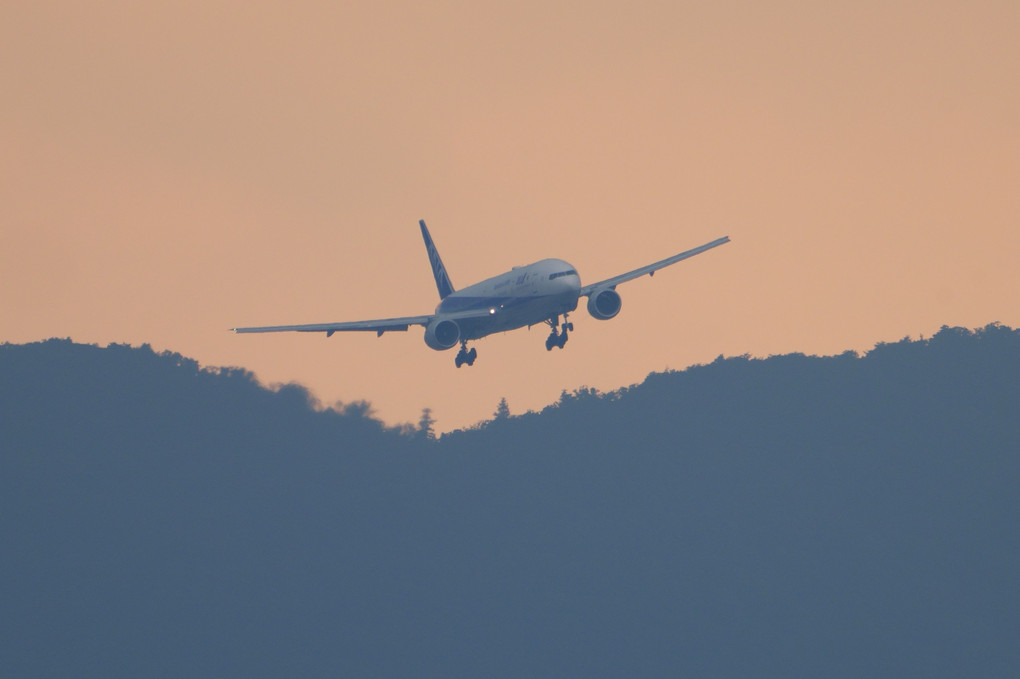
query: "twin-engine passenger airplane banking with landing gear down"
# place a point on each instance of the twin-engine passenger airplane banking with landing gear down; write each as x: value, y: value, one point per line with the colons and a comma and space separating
x: 539, y: 293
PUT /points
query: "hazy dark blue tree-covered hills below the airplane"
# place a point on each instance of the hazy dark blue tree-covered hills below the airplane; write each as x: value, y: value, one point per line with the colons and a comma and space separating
x: 795, y: 516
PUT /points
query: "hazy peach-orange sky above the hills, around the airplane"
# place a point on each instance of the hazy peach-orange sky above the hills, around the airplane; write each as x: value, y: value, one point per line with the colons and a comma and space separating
x: 171, y: 171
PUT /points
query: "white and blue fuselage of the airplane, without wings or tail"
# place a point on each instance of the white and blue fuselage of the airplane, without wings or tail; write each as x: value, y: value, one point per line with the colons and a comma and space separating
x: 525, y: 296
